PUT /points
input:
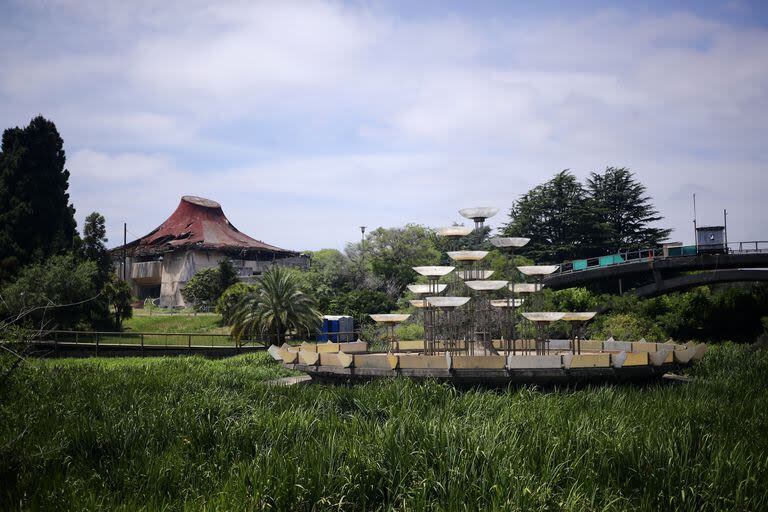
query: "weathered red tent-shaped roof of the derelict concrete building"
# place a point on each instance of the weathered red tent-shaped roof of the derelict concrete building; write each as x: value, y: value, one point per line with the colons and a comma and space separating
x: 199, y: 223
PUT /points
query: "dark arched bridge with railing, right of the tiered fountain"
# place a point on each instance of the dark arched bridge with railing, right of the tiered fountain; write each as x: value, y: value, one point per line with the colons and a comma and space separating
x: 652, y: 275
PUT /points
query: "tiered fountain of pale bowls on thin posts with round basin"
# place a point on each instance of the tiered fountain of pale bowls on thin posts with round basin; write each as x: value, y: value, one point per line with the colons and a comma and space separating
x: 470, y: 331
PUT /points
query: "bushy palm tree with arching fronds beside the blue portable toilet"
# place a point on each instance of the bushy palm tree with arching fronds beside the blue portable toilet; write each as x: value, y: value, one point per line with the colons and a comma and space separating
x: 275, y: 305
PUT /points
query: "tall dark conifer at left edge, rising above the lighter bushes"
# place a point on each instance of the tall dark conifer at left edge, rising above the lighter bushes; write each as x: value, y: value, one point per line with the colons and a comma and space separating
x: 36, y: 218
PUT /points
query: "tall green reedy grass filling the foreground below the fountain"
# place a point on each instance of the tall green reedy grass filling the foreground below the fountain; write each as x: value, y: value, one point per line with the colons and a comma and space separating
x: 193, y: 434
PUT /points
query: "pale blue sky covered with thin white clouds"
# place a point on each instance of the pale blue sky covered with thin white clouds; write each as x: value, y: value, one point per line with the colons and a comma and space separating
x: 306, y: 120
